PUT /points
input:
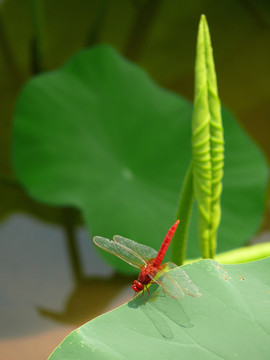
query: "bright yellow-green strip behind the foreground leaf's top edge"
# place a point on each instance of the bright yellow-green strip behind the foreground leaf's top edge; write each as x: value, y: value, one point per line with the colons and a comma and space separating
x: 242, y: 255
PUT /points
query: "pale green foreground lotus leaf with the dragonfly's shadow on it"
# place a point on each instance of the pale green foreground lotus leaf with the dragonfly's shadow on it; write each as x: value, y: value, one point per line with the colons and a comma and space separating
x: 230, y: 320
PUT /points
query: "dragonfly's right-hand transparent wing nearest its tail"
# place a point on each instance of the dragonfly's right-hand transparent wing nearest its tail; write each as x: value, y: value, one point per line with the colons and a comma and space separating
x: 182, y: 278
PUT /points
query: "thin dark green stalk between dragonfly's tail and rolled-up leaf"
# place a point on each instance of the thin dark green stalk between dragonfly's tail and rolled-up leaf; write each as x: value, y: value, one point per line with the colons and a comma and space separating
x: 179, y: 243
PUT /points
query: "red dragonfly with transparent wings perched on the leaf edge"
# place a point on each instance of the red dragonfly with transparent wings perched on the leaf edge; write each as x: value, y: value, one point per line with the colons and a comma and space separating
x: 149, y: 262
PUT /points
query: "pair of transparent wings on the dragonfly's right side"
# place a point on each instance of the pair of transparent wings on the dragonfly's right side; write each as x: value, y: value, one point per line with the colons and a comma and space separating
x: 176, y: 282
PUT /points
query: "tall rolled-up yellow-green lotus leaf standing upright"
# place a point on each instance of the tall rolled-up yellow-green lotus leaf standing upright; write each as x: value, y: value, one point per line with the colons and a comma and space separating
x: 207, y: 143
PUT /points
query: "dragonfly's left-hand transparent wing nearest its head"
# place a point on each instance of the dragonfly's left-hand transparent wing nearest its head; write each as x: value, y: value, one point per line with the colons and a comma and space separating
x: 119, y: 250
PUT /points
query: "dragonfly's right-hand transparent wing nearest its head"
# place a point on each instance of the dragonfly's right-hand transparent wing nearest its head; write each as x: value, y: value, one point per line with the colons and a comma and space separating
x: 169, y: 284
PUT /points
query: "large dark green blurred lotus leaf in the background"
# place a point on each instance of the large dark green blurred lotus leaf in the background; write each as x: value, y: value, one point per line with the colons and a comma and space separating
x: 100, y: 135
